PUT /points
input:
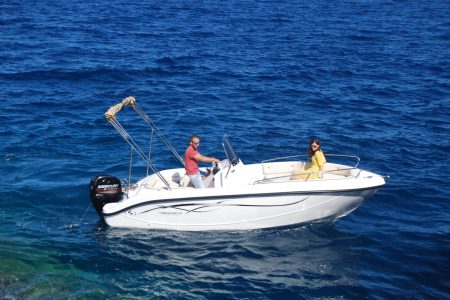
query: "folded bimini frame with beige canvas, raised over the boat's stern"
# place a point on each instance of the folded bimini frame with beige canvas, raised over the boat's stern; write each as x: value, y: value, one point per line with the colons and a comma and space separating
x: 111, y: 117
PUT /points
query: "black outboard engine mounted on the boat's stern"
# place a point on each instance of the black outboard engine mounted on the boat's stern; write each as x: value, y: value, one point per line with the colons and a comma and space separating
x: 104, y: 189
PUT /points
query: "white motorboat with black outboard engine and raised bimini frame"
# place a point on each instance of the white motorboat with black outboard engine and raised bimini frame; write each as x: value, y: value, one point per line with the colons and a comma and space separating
x: 236, y: 196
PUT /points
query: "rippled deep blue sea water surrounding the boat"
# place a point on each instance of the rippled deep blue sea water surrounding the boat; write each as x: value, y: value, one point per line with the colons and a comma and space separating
x: 369, y: 78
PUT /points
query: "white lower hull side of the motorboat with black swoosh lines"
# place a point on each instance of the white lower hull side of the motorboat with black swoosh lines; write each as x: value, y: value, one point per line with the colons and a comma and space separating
x: 239, y: 212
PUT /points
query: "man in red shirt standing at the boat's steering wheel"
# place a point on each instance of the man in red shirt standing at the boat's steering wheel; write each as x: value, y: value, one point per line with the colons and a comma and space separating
x: 191, y: 159
